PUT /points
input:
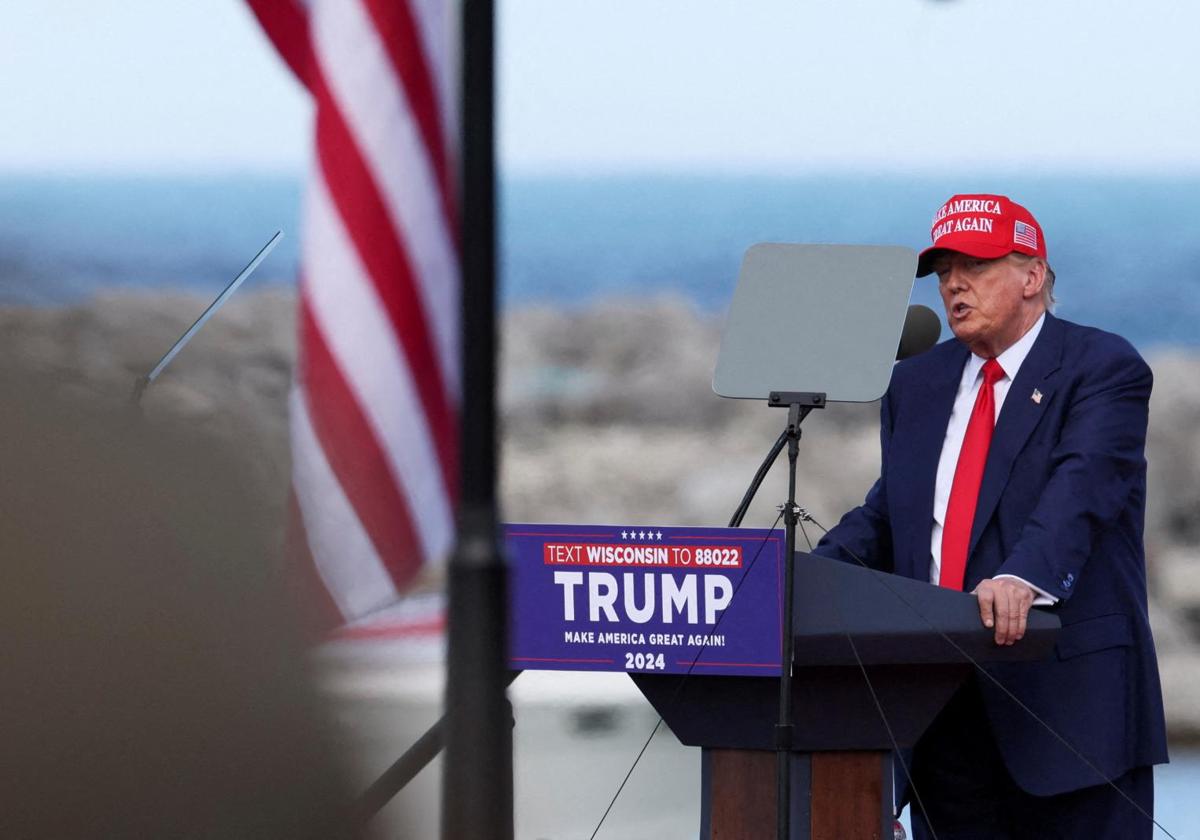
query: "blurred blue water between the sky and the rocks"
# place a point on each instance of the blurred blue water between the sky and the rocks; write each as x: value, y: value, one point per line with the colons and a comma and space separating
x: 1126, y: 250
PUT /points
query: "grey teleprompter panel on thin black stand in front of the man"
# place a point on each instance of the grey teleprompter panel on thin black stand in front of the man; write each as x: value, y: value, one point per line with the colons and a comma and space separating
x: 808, y: 322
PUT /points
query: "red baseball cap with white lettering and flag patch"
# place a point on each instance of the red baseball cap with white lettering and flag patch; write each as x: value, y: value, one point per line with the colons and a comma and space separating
x: 982, y: 226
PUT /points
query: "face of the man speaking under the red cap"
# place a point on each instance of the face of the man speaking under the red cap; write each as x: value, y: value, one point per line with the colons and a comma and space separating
x: 991, y: 303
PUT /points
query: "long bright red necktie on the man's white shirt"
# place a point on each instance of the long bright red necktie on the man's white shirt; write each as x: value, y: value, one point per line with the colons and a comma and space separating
x: 968, y: 478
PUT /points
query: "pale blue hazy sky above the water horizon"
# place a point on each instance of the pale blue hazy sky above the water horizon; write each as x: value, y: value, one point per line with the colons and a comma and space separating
x: 682, y: 86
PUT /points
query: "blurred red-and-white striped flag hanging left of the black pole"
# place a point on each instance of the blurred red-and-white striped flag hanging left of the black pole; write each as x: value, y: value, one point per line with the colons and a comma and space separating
x: 375, y: 406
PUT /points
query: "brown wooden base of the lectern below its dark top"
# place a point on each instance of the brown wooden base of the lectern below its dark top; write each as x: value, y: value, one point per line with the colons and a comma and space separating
x: 836, y: 796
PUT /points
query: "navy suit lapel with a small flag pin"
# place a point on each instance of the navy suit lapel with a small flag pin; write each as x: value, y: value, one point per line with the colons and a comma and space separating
x: 1022, y: 412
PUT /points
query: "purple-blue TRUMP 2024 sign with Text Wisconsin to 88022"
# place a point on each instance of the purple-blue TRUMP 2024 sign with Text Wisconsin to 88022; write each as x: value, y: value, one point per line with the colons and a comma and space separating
x: 620, y: 598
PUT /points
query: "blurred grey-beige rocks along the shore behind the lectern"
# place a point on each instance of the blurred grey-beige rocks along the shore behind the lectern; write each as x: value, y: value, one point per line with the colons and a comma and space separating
x: 609, y: 417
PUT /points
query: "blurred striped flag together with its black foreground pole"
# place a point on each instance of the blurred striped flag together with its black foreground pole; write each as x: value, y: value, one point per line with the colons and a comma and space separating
x: 393, y: 411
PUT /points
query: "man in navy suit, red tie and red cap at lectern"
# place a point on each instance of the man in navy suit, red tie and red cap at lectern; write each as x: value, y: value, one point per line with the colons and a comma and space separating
x: 1013, y: 469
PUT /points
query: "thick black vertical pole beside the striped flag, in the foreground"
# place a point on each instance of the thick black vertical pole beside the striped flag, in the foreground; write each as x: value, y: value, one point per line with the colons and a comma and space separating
x: 477, y: 795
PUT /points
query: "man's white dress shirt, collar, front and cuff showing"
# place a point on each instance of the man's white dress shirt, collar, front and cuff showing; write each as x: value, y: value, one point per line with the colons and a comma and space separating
x: 964, y: 403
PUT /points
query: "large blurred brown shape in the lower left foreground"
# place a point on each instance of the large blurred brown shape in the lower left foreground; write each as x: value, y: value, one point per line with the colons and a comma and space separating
x: 155, y: 679
